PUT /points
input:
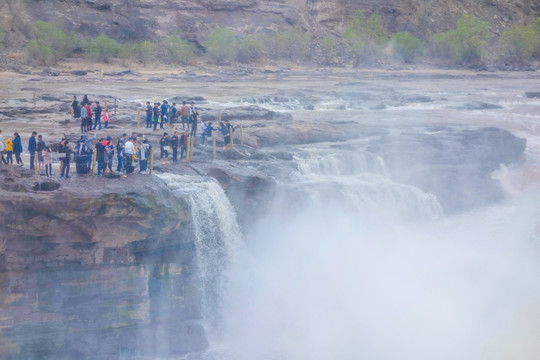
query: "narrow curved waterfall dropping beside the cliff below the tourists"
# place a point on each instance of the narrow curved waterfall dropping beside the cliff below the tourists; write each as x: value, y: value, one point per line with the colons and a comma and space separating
x: 216, y: 234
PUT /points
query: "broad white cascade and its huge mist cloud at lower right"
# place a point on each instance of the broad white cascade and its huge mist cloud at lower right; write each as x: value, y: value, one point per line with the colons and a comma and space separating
x: 333, y: 281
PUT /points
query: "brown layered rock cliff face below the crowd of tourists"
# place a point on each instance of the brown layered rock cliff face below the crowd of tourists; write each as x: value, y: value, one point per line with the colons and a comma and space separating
x: 82, y: 265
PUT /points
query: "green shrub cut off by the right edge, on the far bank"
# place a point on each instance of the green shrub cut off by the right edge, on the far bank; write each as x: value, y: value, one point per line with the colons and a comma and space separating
x: 518, y: 43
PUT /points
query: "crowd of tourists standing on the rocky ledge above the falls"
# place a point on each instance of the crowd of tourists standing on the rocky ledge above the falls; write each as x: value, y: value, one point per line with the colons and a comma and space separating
x: 130, y: 152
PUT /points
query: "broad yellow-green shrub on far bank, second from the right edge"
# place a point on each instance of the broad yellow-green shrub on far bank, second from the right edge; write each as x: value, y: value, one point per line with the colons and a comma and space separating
x: 466, y: 44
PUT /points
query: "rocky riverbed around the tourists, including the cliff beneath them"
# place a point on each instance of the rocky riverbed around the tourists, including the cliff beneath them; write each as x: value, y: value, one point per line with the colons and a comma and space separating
x: 88, y: 260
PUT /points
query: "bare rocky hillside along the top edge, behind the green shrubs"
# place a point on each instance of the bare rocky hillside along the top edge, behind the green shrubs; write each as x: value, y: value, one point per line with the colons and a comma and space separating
x: 127, y: 20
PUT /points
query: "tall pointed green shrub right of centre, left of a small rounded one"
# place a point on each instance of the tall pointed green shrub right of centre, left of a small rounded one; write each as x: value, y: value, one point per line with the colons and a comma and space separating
x: 365, y: 36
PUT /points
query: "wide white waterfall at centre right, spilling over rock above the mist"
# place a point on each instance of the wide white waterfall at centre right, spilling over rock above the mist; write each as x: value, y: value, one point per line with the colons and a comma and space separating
x: 360, y: 179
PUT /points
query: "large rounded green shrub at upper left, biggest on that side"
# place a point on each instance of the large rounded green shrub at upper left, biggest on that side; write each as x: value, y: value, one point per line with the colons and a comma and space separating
x: 50, y: 43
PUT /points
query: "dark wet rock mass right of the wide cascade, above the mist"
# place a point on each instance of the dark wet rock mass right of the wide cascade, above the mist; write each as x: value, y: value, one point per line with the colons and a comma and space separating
x: 451, y: 163
